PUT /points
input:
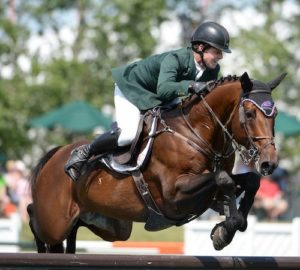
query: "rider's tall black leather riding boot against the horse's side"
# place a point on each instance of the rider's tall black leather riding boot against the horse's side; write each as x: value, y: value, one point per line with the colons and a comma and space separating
x: 104, y: 143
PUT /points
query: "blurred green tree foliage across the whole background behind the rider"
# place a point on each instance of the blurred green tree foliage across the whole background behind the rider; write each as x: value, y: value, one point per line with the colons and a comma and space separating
x: 111, y: 33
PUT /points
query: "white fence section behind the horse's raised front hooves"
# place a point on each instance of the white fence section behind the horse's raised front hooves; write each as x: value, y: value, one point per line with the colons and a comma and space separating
x: 260, y: 239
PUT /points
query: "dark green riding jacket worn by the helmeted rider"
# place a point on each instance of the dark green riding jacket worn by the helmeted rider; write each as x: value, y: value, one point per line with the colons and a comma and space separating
x: 160, y: 78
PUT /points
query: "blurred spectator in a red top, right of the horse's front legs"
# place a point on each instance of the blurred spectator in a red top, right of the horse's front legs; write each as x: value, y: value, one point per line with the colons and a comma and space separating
x: 270, y: 201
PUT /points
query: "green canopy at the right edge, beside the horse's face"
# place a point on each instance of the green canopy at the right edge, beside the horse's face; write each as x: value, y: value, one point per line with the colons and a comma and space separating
x: 287, y: 124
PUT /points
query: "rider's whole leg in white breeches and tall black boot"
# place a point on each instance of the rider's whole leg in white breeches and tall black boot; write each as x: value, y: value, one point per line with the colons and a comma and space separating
x: 127, y: 116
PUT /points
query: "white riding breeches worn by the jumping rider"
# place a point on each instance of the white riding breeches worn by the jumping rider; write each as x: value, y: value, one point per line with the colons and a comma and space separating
x: 127, y: 117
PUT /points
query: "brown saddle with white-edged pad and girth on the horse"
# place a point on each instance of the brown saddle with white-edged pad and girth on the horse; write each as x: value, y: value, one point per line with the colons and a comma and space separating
x: 130, y: 161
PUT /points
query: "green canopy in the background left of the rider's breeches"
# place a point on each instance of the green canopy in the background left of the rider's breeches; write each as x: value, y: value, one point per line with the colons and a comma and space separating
x: 77, y: 117
